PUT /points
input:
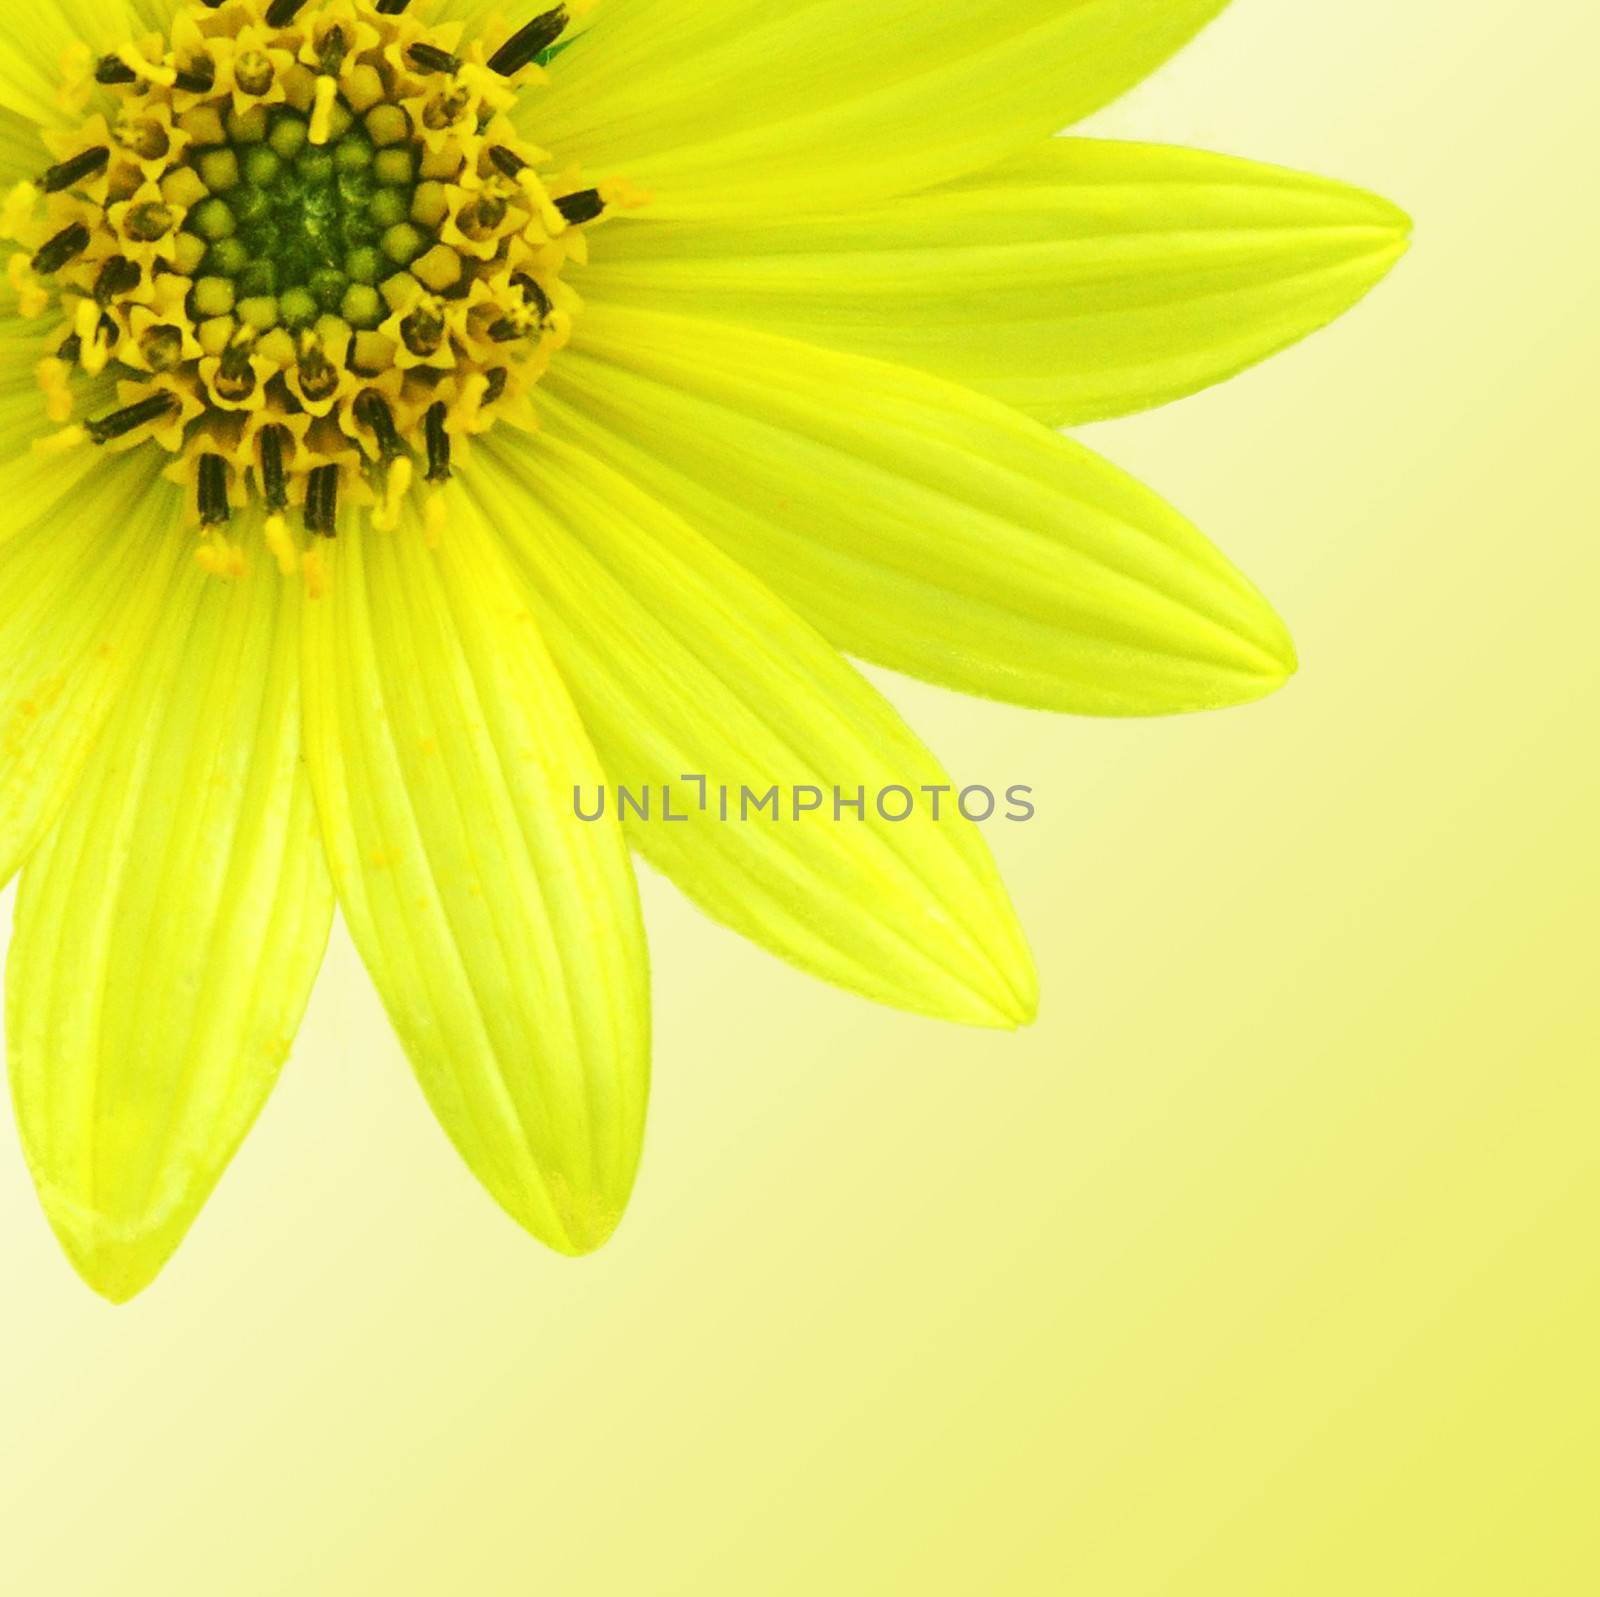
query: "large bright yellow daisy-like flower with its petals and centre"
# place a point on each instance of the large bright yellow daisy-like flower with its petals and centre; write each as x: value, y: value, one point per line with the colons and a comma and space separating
x: 417, y: 420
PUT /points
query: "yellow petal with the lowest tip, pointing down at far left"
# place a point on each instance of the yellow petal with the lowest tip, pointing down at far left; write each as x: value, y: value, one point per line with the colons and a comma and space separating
x: 167, y: 934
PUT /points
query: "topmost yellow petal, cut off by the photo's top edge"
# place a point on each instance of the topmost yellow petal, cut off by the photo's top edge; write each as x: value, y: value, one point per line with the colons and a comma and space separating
x: 745, y: 106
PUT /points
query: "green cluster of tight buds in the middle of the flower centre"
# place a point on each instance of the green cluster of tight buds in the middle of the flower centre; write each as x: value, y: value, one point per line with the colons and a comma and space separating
x: 297, y: 230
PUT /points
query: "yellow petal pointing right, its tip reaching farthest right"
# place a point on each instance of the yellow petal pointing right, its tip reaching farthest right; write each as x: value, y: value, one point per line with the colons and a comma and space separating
x: 1081, y: 281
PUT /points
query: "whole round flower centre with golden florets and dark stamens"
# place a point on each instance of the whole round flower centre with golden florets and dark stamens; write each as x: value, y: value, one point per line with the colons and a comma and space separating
x: 303, y: 250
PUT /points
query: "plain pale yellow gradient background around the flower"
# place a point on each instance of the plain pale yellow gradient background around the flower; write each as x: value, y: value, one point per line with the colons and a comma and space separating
x: 1265, y: 1265
